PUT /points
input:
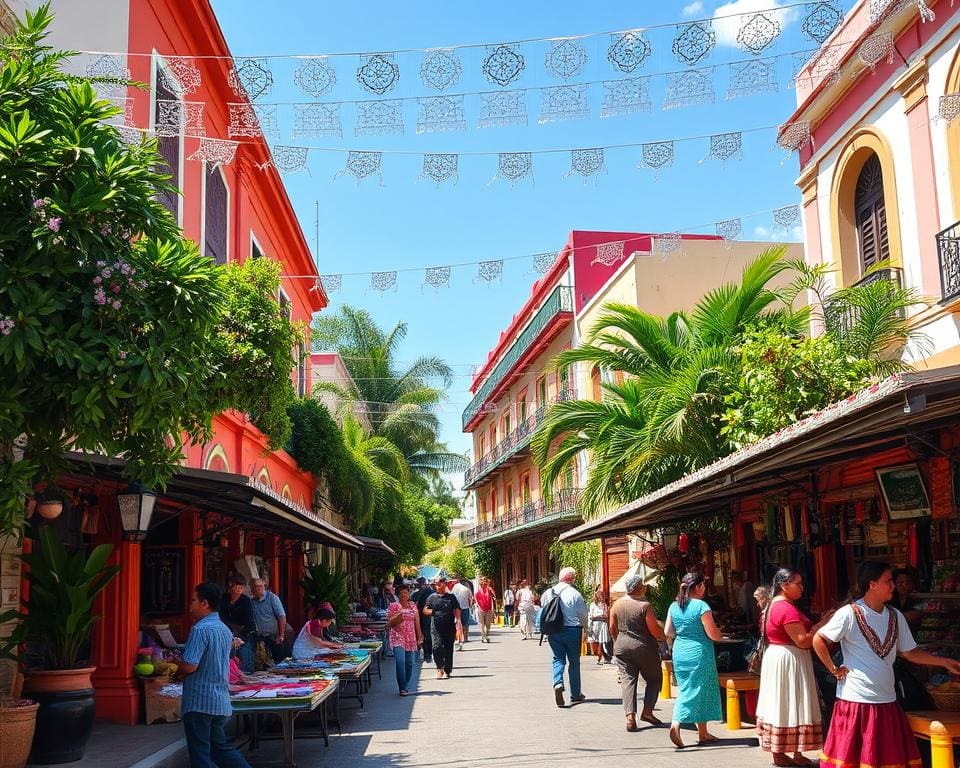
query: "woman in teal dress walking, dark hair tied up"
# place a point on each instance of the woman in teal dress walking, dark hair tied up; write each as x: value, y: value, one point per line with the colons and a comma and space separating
x: 690, y: 624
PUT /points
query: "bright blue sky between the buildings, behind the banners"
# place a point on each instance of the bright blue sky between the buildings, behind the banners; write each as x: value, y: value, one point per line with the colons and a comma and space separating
x: 406, y: 223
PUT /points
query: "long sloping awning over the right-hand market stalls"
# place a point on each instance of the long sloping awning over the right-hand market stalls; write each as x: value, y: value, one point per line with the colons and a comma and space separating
x: 880, y: 417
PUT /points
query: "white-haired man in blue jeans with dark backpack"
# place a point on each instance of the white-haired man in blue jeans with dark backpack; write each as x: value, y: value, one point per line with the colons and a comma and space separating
x: 564, y: 621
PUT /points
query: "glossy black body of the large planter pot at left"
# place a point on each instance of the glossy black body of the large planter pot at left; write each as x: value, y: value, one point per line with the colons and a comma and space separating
x: 64, y: 721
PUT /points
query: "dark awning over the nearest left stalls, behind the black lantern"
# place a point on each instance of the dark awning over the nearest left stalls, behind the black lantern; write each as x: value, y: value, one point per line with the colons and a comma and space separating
x: 235, y: 496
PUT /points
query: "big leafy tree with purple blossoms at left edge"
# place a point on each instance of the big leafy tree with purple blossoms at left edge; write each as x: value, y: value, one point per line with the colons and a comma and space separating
x: 106, y: 311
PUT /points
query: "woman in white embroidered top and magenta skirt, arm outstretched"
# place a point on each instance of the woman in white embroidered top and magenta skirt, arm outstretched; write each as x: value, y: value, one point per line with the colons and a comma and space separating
x: 868, y: 726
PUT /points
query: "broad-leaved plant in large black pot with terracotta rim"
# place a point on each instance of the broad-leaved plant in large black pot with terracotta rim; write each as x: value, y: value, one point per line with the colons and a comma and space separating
x: 58, y: 620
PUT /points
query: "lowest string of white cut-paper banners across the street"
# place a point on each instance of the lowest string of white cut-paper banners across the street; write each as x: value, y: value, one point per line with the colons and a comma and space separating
x: 784, y: 221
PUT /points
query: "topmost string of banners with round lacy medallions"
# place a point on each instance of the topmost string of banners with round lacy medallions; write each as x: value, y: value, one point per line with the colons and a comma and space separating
x: 504, y: 64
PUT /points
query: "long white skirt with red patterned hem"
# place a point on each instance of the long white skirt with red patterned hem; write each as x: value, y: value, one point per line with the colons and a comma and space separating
x: 788, y: 709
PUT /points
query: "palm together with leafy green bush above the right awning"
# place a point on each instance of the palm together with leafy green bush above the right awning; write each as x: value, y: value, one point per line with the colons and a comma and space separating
x: 696, y: 385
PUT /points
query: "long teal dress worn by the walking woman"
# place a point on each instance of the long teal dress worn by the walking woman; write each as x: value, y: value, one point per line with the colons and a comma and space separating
x: 694, y: 666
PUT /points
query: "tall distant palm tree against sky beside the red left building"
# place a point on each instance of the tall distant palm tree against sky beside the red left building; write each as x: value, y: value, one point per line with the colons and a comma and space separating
x: 398, y: 402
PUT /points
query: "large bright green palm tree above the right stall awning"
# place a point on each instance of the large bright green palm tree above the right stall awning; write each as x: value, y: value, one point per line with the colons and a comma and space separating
x: 663, y: 420
